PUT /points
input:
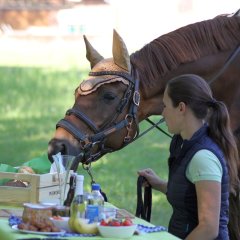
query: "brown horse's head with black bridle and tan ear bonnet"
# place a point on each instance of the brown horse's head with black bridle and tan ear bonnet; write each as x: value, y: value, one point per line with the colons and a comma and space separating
x: 103, y: 118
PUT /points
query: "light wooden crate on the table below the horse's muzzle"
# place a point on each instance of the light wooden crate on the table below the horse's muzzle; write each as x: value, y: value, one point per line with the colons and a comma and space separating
x: 41, y: 188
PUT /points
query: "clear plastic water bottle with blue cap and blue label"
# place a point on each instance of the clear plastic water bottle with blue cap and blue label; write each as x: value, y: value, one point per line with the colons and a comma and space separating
x: 95, y: 204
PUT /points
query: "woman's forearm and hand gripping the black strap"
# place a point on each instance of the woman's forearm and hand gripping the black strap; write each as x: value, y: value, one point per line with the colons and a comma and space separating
x: 156, y: 182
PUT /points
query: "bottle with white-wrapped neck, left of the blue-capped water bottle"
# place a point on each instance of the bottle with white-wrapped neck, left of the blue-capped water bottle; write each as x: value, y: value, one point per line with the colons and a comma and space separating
x: 78, y: 205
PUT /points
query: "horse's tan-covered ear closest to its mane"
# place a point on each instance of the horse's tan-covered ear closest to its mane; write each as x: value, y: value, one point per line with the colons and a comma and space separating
x: 120, y: 52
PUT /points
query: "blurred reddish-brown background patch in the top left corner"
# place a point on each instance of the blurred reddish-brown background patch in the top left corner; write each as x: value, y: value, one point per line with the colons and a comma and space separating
x: 20, y: 14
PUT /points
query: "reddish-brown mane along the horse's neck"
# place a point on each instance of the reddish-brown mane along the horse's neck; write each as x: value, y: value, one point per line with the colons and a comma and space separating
x: 184, y: 45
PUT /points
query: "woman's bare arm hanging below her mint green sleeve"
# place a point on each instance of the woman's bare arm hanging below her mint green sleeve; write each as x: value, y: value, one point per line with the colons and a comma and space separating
x: 209, y: 202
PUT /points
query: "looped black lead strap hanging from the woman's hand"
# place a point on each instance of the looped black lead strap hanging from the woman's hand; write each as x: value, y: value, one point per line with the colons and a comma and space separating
x: 144, y: 205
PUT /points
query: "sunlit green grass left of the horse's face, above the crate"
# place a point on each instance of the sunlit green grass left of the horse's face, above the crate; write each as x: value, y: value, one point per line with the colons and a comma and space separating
x: 32, y: 100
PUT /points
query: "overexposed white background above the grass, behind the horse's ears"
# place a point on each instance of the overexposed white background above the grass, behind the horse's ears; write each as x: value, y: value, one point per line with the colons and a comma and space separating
x: 137, y: 21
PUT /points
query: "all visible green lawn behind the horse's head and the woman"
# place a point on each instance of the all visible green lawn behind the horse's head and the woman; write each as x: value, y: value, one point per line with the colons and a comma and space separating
x: 33, y: 99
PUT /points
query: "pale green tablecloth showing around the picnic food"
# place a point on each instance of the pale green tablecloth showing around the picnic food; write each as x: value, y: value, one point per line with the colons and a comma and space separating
x: 6, y: 211
